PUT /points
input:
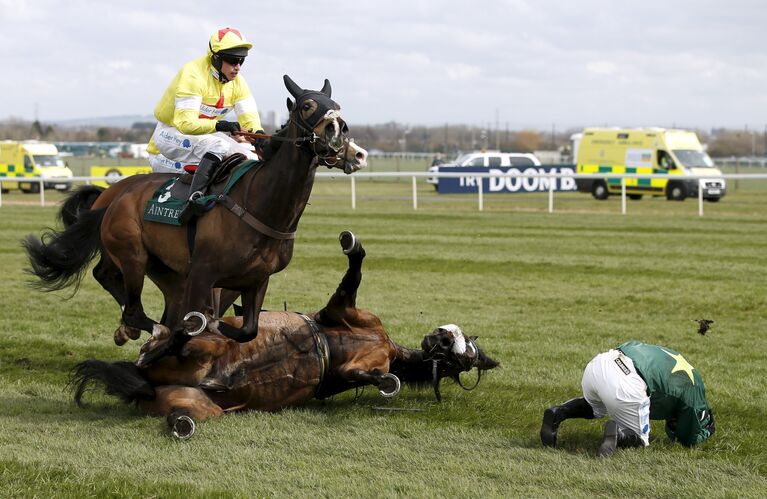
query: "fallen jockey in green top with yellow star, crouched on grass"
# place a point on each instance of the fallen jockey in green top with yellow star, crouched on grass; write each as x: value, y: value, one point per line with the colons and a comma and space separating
x: 631, y: 385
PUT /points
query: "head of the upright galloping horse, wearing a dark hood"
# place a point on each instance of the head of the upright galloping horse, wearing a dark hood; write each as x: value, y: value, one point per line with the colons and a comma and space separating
x: 323, y: 131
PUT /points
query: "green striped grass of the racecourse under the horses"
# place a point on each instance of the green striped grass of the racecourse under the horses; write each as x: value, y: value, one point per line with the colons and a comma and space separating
x: 544, y: 292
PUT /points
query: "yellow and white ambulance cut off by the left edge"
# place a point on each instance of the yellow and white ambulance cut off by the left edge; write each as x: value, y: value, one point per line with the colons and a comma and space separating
x: 32, y: 159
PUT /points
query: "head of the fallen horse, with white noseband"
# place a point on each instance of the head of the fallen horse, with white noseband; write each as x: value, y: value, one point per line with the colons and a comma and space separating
x: 452, y: 353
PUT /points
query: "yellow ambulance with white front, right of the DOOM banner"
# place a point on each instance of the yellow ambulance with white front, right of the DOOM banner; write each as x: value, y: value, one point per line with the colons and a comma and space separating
x: 598, y: 151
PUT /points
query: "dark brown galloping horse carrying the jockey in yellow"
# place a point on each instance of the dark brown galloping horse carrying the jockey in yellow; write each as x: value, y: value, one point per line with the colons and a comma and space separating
x: 227, y: 252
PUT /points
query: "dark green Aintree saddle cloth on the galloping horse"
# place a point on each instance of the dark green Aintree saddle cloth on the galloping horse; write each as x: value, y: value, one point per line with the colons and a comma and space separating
x: 168, y: 200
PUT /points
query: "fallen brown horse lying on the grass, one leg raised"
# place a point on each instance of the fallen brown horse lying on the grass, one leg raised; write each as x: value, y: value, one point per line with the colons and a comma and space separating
x: 294, y: 358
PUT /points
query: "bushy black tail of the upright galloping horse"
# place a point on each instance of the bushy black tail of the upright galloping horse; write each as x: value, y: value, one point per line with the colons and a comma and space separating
x: 59, y: 258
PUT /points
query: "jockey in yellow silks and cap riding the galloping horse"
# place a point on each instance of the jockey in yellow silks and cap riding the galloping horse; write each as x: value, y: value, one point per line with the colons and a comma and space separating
x: 190, y: 128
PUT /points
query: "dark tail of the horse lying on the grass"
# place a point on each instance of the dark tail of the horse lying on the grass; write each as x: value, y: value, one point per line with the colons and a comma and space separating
x: 119, y: 379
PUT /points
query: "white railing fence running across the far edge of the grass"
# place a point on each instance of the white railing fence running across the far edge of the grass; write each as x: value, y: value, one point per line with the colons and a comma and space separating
x: 550, y: 177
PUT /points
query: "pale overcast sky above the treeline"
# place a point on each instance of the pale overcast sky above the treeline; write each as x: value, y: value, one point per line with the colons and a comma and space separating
x: 522, y: 63
